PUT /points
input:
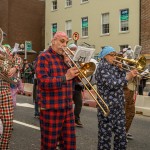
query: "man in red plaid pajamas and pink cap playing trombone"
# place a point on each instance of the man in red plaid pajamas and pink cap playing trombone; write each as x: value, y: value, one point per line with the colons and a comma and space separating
x: 55, y: 87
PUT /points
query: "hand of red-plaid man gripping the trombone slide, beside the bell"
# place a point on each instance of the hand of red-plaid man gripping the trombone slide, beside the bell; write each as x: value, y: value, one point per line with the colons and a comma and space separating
x: 71, y: 73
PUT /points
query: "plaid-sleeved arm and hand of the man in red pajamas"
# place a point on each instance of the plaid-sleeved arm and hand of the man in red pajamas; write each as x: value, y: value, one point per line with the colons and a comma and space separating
x: 52, y: 77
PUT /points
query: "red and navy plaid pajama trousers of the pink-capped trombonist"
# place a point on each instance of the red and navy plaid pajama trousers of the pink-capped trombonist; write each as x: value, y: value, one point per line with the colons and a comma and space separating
x: 54, y: 123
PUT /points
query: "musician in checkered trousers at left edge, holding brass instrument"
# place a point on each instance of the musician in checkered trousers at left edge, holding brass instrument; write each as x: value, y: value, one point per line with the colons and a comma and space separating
x: 6, y: 102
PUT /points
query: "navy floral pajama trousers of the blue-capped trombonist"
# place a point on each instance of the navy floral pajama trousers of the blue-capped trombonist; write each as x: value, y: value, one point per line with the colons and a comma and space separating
x: 114, y: 123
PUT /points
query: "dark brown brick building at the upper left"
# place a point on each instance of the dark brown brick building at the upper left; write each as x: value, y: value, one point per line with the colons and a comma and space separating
x: 23, y: 20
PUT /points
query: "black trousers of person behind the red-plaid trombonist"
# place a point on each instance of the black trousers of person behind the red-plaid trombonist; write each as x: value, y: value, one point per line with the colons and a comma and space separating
x: 77, y: 98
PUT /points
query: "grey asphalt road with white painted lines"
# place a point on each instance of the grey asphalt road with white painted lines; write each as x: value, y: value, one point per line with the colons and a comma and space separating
x: 26, y: 133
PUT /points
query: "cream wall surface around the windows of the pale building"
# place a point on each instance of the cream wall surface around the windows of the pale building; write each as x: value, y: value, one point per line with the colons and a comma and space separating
x: 93, y: 9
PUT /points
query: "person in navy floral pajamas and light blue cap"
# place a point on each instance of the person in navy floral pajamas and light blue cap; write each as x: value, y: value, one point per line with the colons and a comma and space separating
x: 110, y: 82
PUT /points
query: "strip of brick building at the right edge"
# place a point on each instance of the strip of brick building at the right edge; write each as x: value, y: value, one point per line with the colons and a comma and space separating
x: 145, y: 28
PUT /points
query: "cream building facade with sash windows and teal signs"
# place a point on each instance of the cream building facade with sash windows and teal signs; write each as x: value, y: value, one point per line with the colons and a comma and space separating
x: 99, y: 23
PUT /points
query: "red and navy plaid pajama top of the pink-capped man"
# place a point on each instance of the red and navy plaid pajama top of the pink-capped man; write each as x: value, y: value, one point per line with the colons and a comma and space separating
x: 53, y: 93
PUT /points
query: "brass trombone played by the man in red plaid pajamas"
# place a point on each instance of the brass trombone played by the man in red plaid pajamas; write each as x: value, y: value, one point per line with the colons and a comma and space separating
x: 86, y: 70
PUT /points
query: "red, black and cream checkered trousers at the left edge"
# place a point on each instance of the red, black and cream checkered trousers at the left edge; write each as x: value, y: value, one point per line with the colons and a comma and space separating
x: 6, y: 114
